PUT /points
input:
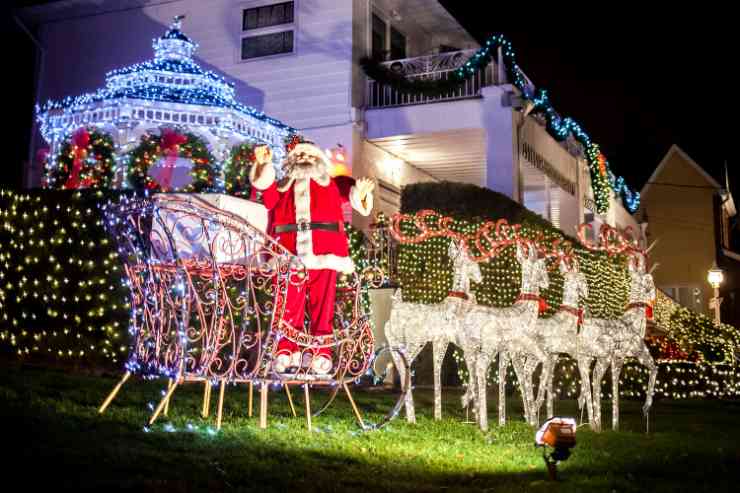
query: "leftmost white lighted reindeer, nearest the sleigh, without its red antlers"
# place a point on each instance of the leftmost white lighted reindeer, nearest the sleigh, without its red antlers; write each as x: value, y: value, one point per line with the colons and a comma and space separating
x: 412, y: 325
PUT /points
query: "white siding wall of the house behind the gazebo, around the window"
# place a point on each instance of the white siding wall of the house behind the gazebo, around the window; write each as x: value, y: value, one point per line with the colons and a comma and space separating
x: 308, y: 88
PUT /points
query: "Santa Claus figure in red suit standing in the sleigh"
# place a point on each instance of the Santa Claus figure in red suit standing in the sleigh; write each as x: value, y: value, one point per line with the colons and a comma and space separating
x: 307, y: 219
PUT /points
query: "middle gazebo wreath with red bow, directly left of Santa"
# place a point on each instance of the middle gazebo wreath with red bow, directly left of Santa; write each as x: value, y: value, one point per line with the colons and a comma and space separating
x: 170, y: 145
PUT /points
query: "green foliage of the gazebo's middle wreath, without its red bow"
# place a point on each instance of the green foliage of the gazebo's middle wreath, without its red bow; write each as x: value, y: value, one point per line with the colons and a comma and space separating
x: 149, y: 151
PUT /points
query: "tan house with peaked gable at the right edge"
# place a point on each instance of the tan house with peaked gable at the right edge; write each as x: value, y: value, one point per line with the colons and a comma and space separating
x: 690, y: 215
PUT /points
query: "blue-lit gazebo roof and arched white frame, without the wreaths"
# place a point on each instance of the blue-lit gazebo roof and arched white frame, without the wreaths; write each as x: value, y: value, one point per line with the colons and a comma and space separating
x: 169, y: 90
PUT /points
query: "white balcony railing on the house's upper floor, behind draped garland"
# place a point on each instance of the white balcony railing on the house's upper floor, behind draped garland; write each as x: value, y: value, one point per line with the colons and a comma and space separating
x: 431, y: 67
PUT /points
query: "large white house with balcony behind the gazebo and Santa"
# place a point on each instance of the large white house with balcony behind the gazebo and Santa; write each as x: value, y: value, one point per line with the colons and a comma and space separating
x: 297, y: 61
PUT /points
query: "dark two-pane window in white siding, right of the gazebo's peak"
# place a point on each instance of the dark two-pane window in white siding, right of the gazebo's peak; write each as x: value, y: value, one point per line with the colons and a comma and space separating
x: 268, y: 30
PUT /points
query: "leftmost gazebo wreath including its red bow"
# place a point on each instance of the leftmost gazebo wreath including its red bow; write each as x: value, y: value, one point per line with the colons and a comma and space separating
x: 84, y: 161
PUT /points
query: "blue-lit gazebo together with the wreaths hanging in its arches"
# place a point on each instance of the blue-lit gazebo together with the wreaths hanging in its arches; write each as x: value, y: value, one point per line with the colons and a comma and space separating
x: 169, y: 91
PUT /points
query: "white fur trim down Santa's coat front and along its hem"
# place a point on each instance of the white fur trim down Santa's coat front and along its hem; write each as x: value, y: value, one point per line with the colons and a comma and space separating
x: 304, y: 239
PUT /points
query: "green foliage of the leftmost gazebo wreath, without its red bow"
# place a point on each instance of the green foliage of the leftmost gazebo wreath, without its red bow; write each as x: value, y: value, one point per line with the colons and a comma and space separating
x: 97, y: 166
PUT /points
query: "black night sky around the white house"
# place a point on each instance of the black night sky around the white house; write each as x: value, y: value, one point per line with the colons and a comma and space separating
x: 636, y: 81
